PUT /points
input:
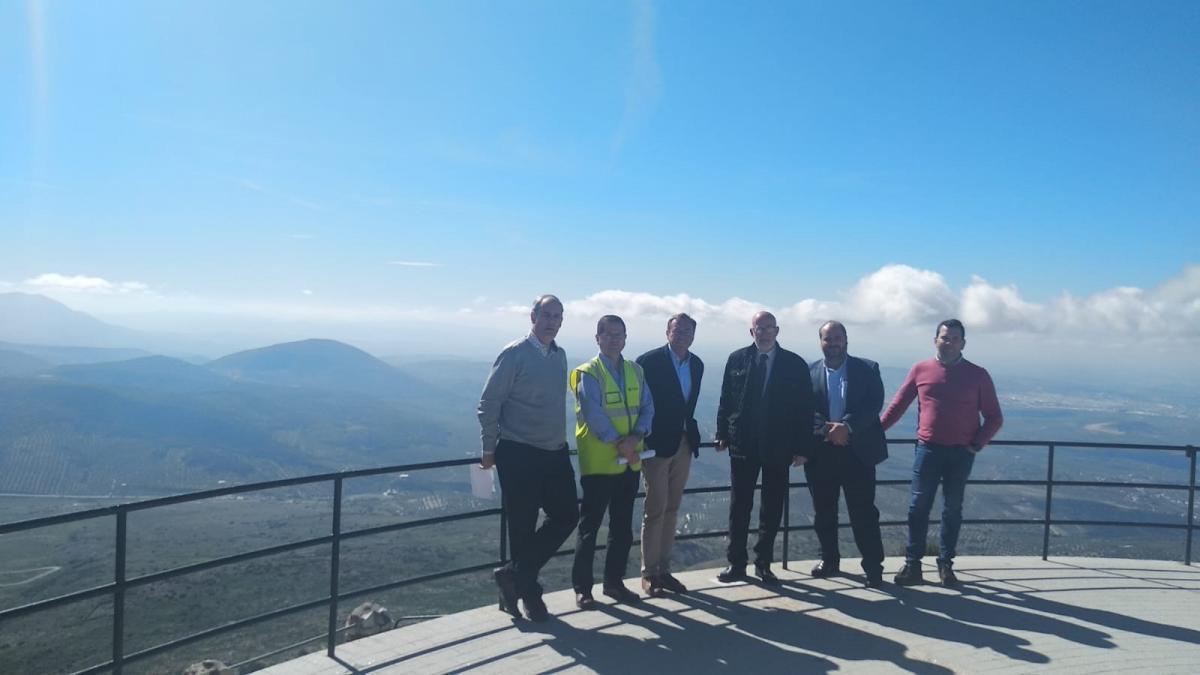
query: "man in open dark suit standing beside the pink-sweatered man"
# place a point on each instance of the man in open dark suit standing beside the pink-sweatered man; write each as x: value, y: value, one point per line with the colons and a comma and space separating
x: 849, y: 395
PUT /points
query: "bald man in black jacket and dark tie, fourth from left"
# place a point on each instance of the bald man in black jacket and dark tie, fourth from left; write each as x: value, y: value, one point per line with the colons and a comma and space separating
x: 765, y: 422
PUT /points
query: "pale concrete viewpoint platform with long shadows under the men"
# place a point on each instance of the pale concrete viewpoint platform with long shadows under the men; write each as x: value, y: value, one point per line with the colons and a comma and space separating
x: 1010, y: 616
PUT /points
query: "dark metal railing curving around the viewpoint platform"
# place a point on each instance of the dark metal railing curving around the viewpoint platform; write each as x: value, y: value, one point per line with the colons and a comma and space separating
x: 121, y: 584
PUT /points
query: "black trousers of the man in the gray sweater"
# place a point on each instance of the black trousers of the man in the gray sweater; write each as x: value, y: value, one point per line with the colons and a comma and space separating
x: 535, y: 480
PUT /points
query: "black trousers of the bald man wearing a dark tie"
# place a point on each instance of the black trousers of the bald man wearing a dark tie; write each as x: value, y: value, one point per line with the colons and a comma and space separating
x: 743, y: 477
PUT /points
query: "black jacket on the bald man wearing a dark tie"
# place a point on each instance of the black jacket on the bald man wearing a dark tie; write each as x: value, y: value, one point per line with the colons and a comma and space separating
x: 789, y: 408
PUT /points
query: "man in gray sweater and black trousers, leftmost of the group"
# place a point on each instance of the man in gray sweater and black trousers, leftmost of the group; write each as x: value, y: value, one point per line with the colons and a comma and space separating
x: 523, y: 415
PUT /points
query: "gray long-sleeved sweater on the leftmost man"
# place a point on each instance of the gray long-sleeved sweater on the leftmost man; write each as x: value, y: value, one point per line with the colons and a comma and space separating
x: 525, y: 398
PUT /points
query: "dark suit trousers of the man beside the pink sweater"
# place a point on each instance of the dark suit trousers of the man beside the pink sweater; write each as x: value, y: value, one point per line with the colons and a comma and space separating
x: 838, y: 470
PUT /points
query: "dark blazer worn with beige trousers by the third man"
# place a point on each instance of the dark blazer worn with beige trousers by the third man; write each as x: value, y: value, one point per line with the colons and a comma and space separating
x: 674, y: 415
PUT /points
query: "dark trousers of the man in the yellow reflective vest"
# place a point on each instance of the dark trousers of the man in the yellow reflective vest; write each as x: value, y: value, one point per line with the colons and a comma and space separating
x: 614, y: 494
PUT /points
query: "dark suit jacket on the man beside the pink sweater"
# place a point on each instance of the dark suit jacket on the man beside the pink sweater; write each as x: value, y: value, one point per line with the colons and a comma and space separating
x: 865, y: 401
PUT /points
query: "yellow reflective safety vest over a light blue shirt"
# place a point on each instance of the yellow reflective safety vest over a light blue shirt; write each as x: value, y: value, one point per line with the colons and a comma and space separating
x: 596, y: 456
